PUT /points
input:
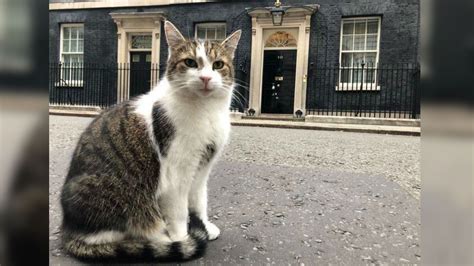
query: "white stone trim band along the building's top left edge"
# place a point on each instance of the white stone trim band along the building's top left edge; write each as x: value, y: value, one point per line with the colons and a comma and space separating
x: 119, y: 3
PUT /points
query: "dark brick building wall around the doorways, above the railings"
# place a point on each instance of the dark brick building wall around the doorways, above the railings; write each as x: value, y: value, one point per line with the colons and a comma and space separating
x: 399, y: 29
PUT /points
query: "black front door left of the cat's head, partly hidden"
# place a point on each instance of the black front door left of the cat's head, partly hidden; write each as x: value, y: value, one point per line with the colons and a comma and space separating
x: 140, y: 73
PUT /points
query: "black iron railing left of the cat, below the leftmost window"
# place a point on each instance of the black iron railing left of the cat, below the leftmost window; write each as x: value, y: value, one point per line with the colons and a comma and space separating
x: 100, y: 85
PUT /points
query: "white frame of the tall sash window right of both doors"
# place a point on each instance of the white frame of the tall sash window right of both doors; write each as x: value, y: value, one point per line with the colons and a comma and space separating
x: 354, y: 86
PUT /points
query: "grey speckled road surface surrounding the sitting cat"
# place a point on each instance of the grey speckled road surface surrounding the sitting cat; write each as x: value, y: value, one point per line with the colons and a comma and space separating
x: 284, y: 196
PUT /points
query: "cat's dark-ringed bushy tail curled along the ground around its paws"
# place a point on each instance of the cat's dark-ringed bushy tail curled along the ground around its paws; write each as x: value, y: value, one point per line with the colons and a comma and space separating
x: 193, y: 246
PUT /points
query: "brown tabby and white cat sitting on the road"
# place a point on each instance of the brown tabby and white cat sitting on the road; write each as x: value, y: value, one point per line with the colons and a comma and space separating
x: 137, y: 181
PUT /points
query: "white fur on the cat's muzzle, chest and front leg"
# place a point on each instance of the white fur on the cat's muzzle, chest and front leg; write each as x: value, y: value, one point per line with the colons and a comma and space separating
x: 198, y: 122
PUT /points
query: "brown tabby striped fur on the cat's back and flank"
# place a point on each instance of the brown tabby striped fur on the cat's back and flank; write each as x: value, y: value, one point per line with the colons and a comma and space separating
x: 116, y: 147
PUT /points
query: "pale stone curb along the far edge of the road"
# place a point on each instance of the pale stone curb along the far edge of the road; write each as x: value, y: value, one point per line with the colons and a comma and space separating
x: 375, y: 129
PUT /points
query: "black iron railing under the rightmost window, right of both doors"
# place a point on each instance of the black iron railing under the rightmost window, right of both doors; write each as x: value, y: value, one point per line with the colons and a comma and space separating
x: 384, y: 91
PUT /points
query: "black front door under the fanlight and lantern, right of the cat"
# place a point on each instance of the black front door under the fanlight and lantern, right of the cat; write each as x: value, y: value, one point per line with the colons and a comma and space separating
x: 278, y: 87
